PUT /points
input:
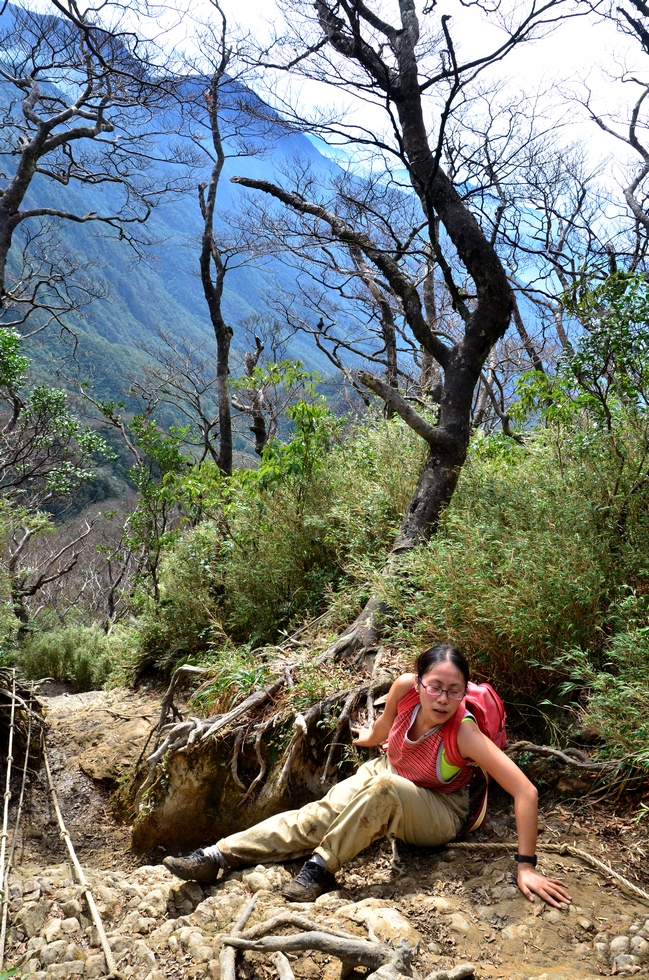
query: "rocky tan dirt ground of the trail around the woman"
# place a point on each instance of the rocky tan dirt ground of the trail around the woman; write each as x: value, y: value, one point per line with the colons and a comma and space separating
x: 451, y: 908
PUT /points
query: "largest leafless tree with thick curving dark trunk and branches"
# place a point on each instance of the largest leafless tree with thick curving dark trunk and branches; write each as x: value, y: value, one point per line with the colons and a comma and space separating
x: 410, y: 70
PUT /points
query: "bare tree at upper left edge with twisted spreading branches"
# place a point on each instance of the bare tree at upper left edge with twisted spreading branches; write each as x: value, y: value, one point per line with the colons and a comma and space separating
x: 81, y: 106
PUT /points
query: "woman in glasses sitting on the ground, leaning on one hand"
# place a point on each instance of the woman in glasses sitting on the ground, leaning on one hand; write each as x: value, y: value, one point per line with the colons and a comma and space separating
x: 411, y: 792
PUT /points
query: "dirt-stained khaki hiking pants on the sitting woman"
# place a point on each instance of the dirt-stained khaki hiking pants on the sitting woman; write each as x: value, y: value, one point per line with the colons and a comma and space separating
x: 373, y: 802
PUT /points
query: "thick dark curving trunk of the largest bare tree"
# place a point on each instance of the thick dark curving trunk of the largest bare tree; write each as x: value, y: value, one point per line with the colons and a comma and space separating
x: 490, y: 316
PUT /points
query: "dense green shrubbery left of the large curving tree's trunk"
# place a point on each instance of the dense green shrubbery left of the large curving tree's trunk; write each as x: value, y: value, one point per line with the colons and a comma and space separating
x: 282, y: 541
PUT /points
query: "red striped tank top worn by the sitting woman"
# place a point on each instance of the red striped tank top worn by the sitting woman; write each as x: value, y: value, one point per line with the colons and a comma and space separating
x: 423, y: 762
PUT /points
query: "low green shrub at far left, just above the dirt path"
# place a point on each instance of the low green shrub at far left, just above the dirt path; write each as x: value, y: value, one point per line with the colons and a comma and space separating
x: 82, y: 656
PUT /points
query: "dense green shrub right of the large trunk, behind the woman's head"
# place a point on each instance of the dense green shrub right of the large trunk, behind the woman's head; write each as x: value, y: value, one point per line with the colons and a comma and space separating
x: 519, y: 569
